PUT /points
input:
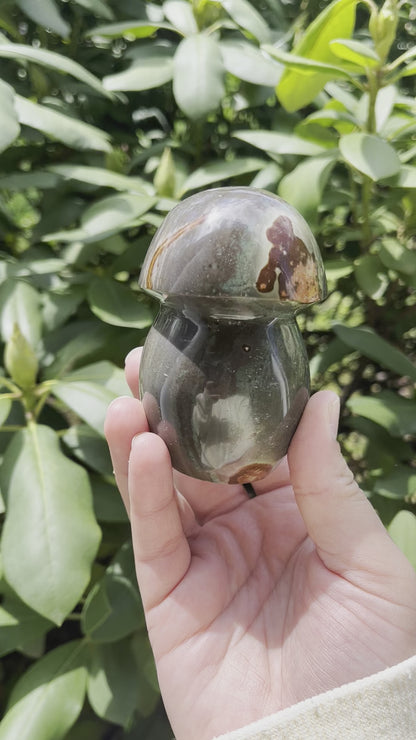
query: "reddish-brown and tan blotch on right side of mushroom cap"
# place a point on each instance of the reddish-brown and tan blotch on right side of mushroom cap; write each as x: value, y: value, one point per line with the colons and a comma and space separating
x: 298, y: 275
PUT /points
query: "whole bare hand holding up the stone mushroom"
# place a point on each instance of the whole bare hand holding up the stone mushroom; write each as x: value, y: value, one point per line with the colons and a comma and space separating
x: 255, y: 604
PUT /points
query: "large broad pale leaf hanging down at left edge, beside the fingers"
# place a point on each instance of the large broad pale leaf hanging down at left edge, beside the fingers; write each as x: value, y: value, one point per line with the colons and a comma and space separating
x: 48, y: 499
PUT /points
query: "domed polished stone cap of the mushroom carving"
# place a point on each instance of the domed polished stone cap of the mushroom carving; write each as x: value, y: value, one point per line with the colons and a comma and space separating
x: 235, y: 242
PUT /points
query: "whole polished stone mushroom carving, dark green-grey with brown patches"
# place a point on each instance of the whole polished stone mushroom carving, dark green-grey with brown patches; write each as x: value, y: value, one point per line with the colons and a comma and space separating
x: 224, y: 374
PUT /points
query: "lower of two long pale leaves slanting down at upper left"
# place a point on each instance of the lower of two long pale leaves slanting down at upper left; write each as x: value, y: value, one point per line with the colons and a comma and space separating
x: 70, y: 131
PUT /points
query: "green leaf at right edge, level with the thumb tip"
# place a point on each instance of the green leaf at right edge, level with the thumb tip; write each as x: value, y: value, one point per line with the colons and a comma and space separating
x: 391, y: 411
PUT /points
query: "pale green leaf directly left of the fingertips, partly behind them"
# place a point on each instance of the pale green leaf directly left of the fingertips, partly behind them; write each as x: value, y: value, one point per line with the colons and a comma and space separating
x: 90, y: 390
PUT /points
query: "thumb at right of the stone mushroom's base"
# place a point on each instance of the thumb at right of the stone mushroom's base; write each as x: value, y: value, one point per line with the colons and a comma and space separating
x: 349, y: 537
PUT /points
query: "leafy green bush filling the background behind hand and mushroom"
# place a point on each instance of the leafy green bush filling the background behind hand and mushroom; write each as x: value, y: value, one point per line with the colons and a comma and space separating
x: 110, y: 112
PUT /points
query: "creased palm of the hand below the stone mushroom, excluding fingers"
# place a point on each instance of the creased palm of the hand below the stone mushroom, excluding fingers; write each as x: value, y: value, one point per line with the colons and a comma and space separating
x: 258, y: 621
